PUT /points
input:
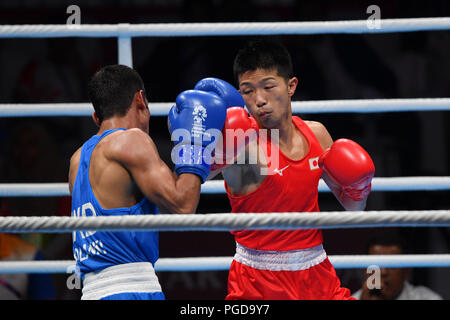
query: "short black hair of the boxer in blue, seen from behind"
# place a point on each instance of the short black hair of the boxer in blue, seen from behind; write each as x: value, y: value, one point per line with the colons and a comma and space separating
x: 112, y: 89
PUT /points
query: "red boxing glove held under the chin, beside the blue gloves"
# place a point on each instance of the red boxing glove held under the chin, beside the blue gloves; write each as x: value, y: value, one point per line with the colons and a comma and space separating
x: 239, y: 129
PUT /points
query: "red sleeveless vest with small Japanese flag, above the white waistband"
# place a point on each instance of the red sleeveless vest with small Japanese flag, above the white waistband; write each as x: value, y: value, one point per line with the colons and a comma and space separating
x: 291, y: 188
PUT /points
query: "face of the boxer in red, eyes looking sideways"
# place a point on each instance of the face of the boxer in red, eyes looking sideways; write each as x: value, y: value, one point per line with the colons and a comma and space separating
x: 267, y: 96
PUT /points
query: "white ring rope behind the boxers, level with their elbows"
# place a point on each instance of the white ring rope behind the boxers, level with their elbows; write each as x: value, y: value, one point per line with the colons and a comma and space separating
x: 217, y: 186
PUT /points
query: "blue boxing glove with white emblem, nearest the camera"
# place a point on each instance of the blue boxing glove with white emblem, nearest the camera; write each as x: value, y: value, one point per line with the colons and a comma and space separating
x: 195, y: 122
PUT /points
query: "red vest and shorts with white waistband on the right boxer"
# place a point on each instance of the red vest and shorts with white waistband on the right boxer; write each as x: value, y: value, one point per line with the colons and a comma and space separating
x: 283, y: 264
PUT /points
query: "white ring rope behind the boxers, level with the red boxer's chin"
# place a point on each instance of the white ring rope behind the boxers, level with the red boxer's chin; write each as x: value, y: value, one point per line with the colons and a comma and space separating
x: 298, y: 107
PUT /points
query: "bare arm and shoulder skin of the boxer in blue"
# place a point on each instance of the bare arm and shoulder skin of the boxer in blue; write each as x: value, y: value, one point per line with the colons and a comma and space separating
x: 136, y: 154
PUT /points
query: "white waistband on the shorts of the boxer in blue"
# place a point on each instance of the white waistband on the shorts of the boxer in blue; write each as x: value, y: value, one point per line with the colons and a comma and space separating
x: 129, y: 277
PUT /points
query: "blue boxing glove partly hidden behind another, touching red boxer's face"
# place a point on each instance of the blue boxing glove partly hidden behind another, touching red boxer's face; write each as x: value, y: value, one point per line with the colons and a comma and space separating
x: 223, y: 89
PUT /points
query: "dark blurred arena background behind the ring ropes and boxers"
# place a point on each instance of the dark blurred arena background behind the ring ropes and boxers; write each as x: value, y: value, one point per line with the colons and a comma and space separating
x: 329, y: 67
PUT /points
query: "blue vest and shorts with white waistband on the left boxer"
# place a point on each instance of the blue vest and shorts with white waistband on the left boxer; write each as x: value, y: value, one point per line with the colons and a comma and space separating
x: 113, y: 265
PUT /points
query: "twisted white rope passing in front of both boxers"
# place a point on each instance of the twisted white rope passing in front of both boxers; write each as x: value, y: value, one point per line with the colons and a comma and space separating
x: 227, y: 221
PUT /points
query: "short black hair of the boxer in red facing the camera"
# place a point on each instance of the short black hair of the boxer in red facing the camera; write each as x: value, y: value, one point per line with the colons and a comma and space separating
x: 263, y: 54
